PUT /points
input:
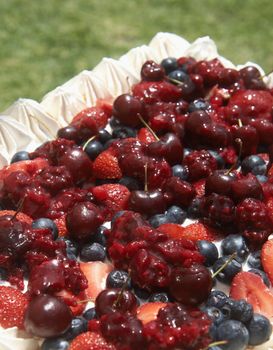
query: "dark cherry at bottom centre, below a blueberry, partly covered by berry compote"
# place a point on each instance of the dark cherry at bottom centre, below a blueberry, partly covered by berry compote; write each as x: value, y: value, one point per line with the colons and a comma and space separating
x: 111, y: 300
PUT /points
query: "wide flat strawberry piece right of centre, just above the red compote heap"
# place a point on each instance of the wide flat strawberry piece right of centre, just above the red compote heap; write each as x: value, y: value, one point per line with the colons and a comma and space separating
x: 195, y: 232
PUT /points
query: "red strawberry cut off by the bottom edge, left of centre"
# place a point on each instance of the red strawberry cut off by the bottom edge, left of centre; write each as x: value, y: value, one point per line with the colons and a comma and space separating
x: 90, y: 341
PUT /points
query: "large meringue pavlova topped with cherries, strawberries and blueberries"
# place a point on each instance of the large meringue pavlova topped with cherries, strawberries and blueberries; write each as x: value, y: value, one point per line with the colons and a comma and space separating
x: 137, y: 206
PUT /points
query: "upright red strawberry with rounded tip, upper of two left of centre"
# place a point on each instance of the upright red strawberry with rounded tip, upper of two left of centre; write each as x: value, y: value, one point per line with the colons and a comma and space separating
x: 106, y: 166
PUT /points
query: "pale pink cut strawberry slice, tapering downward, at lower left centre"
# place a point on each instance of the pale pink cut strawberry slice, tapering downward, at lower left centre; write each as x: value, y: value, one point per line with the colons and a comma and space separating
x: 96, y: 273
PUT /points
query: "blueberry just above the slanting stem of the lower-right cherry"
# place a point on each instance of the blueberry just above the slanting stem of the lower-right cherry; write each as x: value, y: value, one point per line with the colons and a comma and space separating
x: 235, y: 244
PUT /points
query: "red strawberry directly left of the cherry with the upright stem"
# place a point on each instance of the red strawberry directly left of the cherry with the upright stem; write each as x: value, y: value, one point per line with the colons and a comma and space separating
x: 114, y: 196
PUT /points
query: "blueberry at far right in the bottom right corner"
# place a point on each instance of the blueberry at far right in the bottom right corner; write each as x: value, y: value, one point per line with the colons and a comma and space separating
x: 259, y: 329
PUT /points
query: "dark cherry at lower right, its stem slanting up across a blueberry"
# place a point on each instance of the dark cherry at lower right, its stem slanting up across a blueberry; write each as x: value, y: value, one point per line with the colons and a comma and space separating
x: 190, y: 285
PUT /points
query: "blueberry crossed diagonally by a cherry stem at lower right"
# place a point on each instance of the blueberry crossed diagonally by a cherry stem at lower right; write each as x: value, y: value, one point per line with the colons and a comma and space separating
x: 227, y: 274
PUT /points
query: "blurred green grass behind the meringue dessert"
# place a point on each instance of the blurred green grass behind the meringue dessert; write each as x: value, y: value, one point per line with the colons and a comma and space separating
x: 44, y: 43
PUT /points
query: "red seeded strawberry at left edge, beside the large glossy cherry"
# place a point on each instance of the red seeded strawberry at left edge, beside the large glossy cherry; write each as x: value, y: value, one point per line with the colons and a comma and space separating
x: 13, y: 304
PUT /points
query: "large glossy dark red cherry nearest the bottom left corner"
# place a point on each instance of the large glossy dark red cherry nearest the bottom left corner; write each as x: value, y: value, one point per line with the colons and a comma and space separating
x: 47, y: 316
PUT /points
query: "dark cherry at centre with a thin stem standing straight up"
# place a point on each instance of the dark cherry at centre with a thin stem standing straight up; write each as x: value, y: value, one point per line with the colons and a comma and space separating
x: 147, y: 202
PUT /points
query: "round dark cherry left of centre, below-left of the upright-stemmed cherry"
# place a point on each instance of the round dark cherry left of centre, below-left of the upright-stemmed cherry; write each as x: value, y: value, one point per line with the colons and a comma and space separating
x: 83, y: 220
